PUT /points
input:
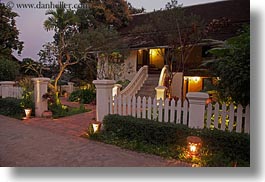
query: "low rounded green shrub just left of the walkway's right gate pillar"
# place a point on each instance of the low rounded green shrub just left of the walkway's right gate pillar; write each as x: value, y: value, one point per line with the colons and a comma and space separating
x: 84, y: 96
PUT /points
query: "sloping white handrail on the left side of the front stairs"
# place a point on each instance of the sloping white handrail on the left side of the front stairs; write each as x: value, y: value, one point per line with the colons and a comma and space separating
x: 136, y: 83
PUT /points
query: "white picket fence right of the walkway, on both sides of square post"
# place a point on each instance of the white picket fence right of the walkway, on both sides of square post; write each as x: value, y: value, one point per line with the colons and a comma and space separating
x: 174, y: 112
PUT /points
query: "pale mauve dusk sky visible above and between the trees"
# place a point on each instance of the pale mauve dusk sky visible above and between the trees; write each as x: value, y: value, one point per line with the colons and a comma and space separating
x: 30, y: 21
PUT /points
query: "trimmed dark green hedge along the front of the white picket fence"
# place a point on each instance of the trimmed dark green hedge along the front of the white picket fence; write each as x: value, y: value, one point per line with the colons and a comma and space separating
x: 226, y: 148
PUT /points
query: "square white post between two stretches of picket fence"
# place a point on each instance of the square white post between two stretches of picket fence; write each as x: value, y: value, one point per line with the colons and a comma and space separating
x: 197, y: 102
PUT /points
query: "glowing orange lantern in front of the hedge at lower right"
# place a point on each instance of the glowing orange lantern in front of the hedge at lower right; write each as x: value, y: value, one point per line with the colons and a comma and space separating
x: 194, y: 145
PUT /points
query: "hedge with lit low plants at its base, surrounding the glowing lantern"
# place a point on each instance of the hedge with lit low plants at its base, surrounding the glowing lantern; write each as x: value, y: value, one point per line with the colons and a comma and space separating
x: 220, y: 148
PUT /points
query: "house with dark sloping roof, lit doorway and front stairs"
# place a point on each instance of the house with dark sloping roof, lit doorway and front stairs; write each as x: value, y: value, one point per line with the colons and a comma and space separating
x: 150, y: 51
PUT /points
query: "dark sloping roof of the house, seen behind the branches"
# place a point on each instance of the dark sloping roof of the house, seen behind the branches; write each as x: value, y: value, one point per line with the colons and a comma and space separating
x: 237, y: 11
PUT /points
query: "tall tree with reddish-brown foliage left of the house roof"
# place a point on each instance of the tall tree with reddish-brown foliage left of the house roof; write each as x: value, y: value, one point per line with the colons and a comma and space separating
x: 102, y: 20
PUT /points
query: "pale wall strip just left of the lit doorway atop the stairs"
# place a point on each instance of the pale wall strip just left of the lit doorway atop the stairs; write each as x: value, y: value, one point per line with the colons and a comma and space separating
x: 130, y: 65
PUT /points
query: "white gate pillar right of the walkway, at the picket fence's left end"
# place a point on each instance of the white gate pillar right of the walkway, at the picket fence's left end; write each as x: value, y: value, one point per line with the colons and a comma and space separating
x: 104, y: 93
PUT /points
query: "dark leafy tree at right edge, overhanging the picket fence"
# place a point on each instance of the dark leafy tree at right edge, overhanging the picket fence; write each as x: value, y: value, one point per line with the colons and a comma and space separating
x: 232, y: 66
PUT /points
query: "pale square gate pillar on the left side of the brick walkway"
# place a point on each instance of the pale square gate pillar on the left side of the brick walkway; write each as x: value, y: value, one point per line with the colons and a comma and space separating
x: 40, y: 88
